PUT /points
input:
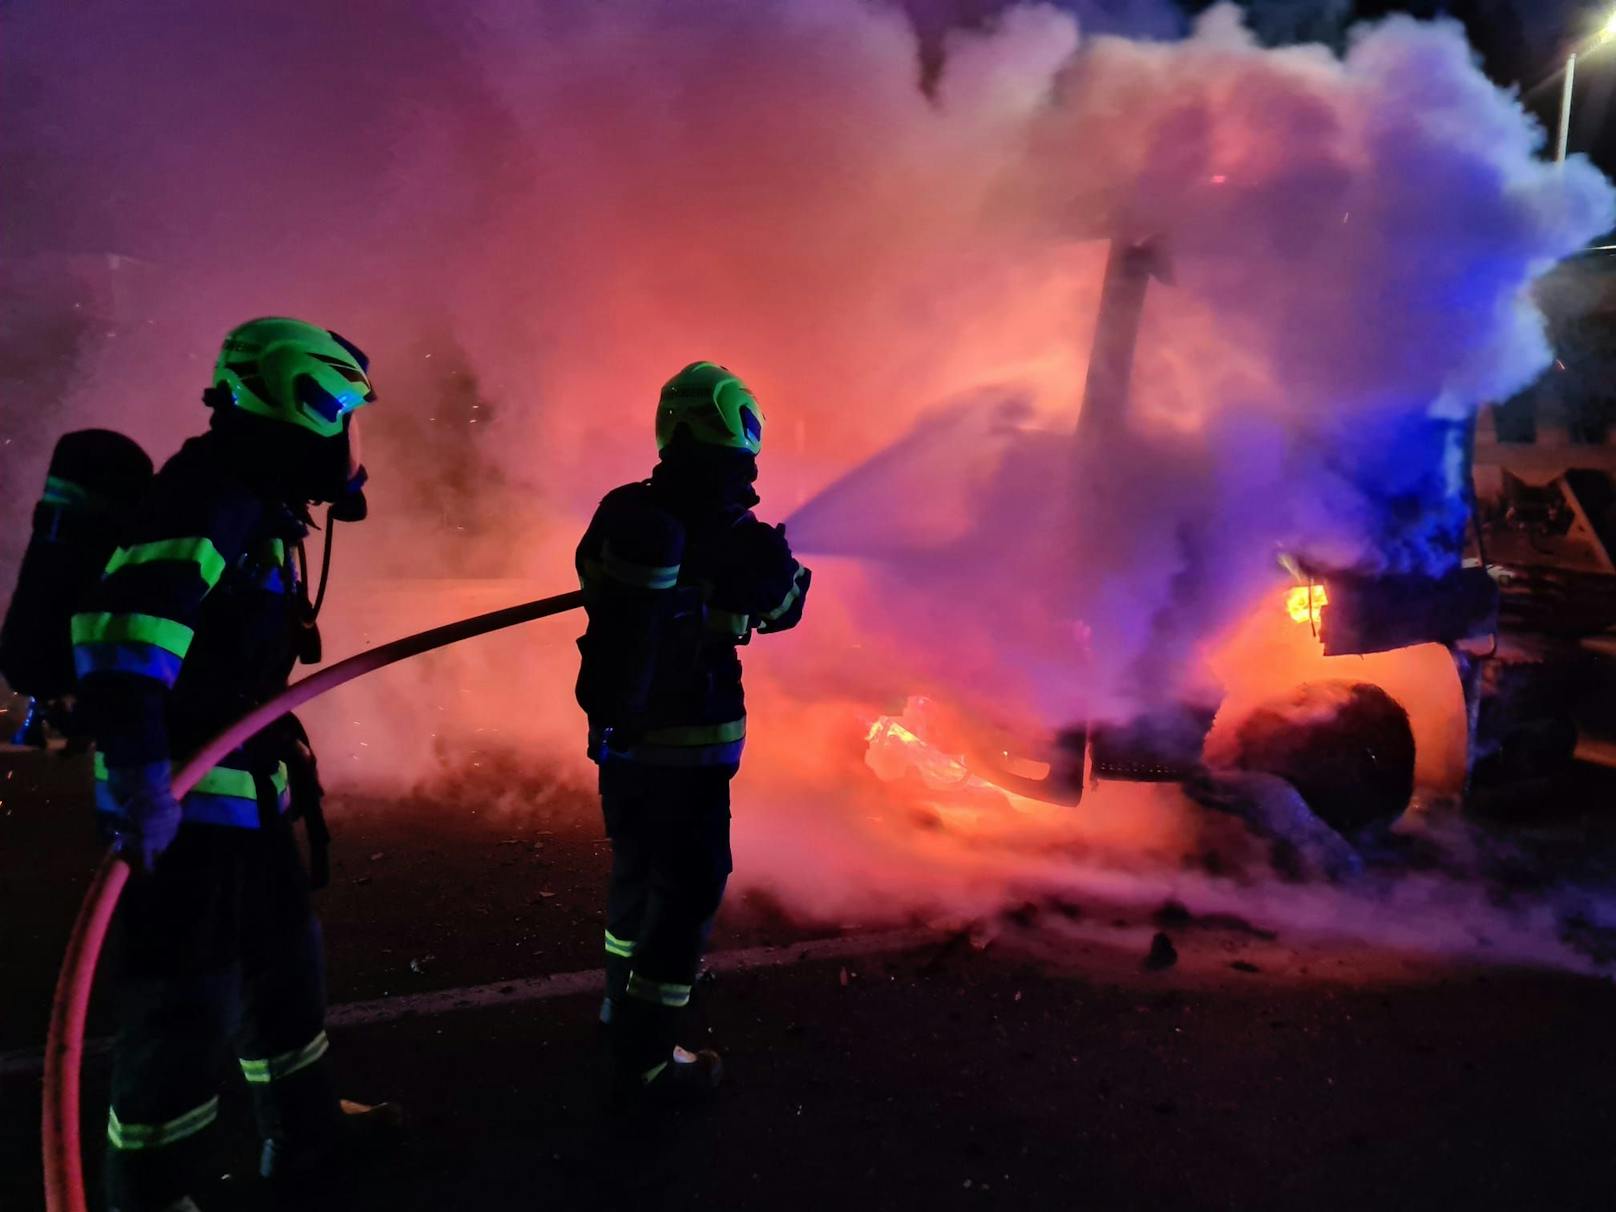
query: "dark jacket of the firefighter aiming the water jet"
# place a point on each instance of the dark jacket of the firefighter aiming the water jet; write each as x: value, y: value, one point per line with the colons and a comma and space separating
x: 676, y: 574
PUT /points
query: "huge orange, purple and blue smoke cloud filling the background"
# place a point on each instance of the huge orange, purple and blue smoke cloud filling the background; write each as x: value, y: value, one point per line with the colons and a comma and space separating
x: 531, y: 216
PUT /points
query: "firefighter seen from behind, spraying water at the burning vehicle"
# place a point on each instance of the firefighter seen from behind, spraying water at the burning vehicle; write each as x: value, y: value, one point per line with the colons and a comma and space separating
x: 676, y: 574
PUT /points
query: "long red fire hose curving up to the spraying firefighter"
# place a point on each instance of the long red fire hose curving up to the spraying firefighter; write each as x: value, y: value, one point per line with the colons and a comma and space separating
x: 65, y: 1040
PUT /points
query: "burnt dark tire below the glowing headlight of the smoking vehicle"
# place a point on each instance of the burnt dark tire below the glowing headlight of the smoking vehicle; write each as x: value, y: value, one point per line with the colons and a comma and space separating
x: 1347, y: 747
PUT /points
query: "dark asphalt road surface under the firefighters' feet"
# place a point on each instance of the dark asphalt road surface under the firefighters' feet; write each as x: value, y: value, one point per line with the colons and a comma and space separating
x: 1038, y: 1063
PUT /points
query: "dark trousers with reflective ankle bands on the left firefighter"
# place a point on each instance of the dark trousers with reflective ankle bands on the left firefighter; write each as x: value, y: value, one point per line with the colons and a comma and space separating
x: 219, y: 953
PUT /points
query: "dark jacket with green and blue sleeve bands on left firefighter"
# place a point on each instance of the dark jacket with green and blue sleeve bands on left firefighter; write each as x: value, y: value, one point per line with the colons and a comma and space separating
x: 196, y: 621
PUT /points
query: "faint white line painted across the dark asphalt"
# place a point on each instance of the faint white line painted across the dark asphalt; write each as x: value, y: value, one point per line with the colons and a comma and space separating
x: 30, y: 1063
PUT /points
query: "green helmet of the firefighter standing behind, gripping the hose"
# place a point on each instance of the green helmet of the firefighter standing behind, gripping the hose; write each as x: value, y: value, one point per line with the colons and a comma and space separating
x: 293, y: 372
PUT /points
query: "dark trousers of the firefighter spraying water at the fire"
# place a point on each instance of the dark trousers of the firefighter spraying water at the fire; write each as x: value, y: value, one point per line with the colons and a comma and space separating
x: 670, y: 840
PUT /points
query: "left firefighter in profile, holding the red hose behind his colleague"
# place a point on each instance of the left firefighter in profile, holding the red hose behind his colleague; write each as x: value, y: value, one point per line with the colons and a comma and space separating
x: 200, y: 618
